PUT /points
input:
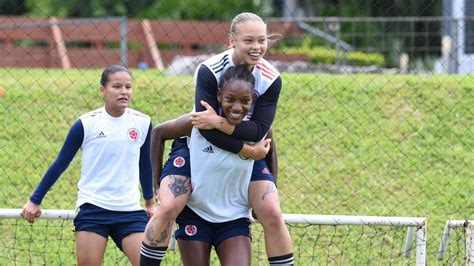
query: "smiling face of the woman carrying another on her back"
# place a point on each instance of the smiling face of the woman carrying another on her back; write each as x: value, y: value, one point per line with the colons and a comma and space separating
x: 236, y: 100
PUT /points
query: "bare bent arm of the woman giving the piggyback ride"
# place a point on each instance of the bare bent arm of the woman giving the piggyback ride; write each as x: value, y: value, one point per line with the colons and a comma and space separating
x: 170, y: 129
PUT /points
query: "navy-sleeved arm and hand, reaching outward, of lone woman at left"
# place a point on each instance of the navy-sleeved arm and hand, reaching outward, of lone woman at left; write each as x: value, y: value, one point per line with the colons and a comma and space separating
x: 70, y: 147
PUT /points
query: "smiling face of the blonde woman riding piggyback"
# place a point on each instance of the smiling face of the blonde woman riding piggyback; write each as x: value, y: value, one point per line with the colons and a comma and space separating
x: 249, y: 41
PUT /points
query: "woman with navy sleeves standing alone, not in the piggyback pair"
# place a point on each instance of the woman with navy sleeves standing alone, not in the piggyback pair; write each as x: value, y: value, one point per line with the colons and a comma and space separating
x: 115, y: 143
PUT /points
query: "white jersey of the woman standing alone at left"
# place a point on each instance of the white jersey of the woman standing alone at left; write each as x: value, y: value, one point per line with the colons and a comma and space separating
x: 110, y: 159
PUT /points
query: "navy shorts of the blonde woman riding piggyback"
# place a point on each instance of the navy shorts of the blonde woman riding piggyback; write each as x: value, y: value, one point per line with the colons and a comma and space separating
x: 178, y: 163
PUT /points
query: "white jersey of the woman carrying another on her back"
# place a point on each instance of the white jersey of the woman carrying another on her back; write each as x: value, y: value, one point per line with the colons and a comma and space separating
x: 220, y: 181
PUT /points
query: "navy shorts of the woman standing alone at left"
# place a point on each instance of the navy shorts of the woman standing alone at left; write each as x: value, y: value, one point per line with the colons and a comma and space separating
x: 115, y: 224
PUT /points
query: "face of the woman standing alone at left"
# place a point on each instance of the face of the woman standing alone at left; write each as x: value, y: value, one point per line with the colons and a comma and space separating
x: 117, y: 93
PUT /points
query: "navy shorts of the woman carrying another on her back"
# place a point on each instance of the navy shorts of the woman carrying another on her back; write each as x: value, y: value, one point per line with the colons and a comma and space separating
x: 192, y: 227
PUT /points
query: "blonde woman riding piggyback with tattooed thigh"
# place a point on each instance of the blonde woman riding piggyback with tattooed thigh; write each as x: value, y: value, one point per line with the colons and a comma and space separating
x: 248, y: 39
